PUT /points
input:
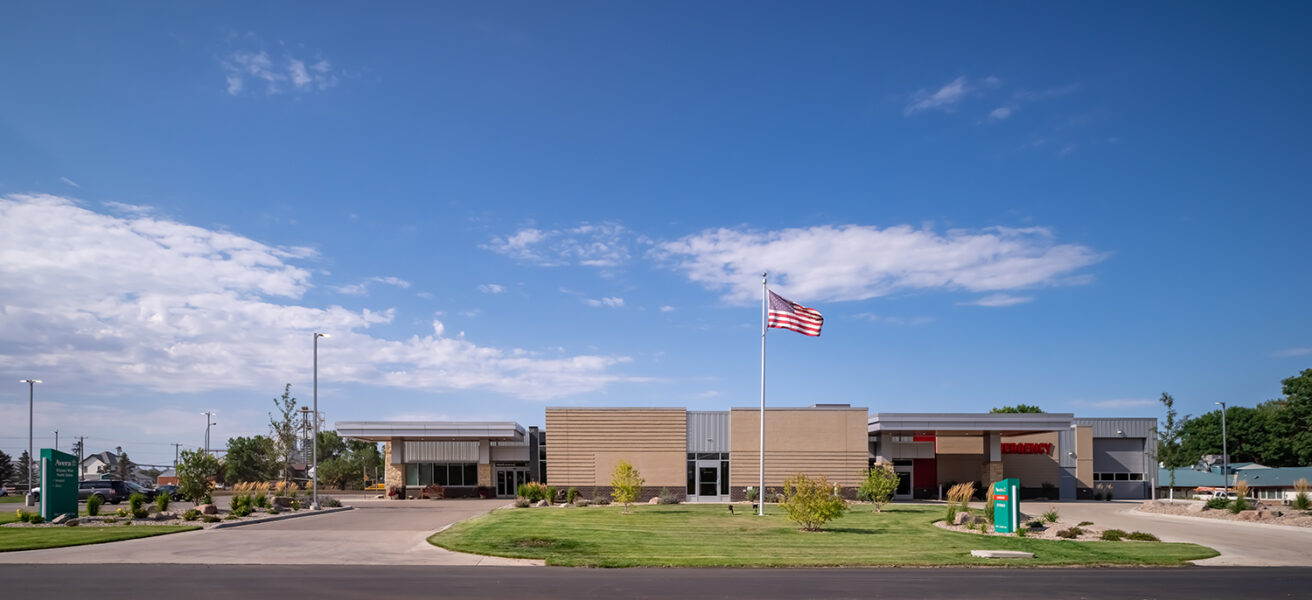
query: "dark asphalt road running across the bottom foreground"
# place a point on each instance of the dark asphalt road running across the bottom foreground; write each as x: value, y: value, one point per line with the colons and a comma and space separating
x: 382, y: 582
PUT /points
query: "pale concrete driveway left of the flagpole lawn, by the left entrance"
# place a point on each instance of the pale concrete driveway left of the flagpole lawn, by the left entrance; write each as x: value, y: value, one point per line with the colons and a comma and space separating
x: 377, y: 532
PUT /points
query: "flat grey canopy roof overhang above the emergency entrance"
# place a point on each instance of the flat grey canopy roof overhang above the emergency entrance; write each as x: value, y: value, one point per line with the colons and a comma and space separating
x: 969, y: 423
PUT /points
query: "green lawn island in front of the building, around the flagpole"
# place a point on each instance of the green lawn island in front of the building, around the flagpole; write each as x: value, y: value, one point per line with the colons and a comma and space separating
x: 705, y: 536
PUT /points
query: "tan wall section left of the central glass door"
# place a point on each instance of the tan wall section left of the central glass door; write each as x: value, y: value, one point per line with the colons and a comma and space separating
x: 584, y: 446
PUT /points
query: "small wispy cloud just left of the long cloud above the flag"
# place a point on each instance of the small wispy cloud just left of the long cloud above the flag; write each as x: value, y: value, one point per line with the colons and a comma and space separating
x: 603, y: 245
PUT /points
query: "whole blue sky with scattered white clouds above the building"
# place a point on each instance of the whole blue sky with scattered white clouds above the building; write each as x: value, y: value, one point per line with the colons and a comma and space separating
x: 502, y: 208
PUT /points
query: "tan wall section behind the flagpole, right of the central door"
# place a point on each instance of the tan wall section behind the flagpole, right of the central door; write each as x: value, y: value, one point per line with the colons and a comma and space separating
x: 815, y: 442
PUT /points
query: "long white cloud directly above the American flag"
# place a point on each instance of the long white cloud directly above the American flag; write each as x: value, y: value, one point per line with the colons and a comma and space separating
x: 852, y: 263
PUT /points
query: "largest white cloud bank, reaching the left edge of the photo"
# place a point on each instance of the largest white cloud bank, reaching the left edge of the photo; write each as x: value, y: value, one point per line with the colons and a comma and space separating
x: 141, y: 303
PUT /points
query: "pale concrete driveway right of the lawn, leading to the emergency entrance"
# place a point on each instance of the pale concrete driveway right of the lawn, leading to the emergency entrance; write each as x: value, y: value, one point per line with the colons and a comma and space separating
x: 1240, y: 544
